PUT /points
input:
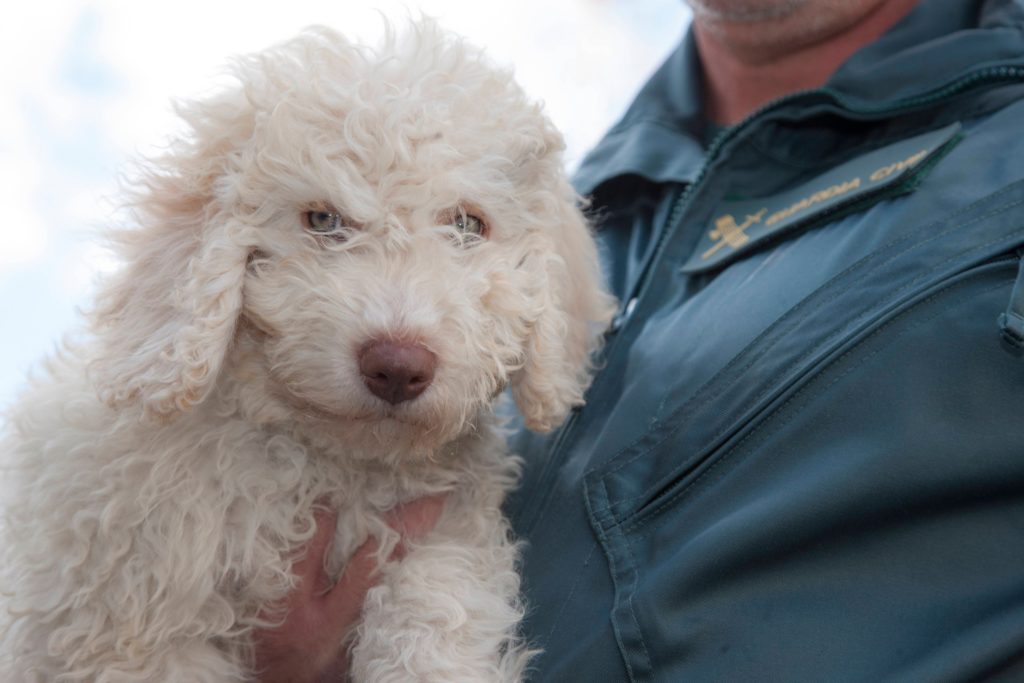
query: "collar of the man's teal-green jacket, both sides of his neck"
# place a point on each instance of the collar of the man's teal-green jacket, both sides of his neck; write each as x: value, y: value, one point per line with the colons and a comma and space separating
x: 660, y: 137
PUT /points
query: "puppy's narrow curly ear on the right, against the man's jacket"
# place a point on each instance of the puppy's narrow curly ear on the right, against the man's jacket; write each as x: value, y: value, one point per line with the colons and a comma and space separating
x: 574, y: 314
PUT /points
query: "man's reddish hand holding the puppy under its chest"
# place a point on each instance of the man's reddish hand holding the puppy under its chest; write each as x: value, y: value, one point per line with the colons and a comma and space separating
x: 307, y: 649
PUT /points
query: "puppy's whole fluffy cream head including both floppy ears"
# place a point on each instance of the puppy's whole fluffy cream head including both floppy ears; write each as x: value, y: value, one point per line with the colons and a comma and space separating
x: 392, y: 227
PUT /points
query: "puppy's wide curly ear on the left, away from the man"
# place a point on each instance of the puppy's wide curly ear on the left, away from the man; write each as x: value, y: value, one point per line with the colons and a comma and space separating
x: 165, y: 323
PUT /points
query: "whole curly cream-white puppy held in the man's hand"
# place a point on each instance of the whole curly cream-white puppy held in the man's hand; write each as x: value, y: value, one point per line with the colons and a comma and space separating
x: 334, y: 275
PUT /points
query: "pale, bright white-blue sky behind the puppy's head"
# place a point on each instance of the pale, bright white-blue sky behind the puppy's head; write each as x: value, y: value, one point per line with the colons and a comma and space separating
x: 88, y: 88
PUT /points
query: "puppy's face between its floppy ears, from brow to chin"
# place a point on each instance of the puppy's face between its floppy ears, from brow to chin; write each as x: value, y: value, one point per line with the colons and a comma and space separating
x: 397, y: 307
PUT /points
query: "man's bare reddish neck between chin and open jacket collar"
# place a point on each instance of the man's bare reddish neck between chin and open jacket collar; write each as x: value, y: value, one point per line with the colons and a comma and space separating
x: 748, y: 65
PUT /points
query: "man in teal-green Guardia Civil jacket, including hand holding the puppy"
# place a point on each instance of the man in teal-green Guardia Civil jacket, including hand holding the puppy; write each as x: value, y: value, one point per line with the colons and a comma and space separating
x: 803, y: 457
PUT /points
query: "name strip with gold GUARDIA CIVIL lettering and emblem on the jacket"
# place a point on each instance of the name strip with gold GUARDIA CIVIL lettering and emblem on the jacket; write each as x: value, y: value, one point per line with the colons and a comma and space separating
x: 741, y: 226
